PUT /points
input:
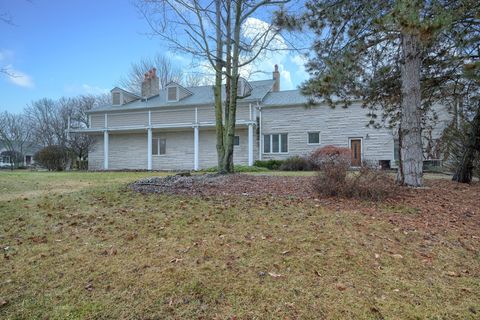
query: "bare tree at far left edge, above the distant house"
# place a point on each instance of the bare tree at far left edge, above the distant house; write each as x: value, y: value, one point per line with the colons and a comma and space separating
x: 15, y: 133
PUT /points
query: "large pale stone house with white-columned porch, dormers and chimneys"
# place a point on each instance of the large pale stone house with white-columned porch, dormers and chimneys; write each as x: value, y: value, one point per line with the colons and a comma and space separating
x: 174, y: 128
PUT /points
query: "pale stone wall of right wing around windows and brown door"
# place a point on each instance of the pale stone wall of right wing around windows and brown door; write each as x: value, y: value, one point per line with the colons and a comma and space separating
x: 336, y: 127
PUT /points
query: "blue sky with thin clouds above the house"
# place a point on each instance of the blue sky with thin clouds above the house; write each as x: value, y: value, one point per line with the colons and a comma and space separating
x: 65, y: 48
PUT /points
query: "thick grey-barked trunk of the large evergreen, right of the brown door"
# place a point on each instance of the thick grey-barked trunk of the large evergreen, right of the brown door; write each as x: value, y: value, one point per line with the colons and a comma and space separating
x: 411, y: 132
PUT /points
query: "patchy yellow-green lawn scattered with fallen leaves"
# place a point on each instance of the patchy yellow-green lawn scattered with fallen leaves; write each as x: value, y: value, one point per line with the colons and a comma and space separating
x: 97, y: 251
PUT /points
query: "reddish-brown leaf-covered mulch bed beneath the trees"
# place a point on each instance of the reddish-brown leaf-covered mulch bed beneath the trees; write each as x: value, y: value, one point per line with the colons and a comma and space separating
x: 441, y: 205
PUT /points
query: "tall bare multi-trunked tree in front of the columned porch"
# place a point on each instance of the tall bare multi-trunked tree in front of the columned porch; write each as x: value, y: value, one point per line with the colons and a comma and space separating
x: 211, y: 31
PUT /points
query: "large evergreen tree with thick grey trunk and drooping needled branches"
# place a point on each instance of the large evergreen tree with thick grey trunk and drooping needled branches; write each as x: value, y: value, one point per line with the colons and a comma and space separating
x: 398, y: 56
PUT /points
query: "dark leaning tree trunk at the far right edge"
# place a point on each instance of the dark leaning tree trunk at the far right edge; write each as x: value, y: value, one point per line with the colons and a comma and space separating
x: 464, y: 171
